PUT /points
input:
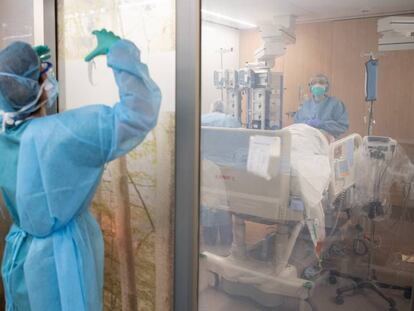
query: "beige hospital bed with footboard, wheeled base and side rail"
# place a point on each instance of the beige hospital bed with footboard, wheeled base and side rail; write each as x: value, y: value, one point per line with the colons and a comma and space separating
x: 226, y: 179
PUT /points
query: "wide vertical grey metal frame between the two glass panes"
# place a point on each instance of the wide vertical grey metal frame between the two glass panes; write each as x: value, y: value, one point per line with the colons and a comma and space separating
x: 188, y: 67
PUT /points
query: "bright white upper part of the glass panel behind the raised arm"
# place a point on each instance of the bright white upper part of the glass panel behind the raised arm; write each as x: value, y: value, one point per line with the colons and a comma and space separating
x: 150, y: 27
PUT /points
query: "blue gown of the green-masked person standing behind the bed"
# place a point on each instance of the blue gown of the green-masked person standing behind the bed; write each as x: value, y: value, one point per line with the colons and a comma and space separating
x: 331, y: 113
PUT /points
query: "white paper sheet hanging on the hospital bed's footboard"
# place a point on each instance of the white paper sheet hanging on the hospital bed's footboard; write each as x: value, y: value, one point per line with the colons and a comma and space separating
x: 261, y: 151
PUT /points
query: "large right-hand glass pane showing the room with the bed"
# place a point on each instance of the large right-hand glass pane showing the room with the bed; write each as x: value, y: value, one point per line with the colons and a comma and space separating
x: 306, y: 171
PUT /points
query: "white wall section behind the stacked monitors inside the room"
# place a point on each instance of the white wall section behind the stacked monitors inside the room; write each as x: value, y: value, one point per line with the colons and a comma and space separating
x: 213, y: 38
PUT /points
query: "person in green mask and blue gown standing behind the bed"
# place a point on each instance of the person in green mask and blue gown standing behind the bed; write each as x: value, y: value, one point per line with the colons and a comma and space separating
x: 322, y: 111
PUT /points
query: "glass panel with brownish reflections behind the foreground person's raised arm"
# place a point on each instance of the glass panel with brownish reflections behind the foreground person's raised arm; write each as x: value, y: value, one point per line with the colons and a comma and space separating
x: 136, y: 220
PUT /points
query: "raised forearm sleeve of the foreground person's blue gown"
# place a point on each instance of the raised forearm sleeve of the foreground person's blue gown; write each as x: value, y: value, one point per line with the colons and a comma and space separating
x: 126, y: 125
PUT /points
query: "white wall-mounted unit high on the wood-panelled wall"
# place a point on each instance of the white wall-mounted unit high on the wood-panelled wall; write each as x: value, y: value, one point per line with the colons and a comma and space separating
x: 396, y: 33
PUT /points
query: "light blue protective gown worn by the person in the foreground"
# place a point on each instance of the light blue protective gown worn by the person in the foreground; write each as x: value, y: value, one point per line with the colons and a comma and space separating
x: 50, y: 168
